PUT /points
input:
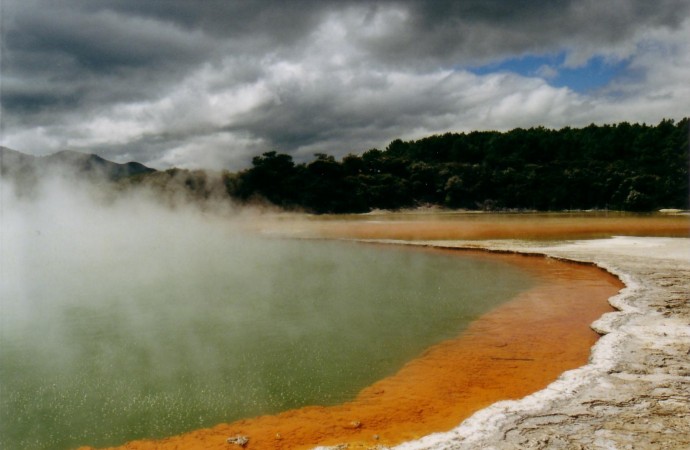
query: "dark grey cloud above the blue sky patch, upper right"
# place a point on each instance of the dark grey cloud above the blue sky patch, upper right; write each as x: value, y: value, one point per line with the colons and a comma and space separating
x: 450, y: 32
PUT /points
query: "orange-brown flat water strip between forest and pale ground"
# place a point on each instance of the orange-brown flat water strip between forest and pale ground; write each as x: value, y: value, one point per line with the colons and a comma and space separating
x: 472, y: 225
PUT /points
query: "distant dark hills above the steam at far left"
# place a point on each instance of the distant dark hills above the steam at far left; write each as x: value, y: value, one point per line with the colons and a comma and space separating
x: 17, y: 164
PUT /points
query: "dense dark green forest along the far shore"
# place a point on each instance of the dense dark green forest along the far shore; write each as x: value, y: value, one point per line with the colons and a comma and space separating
x: 623, y: 167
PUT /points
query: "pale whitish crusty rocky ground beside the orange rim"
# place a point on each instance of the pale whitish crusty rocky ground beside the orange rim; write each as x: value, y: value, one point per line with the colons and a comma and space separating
x: 635, y: 391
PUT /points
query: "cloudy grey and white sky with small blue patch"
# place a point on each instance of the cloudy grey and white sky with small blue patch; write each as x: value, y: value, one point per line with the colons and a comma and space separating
x: 211, y: 83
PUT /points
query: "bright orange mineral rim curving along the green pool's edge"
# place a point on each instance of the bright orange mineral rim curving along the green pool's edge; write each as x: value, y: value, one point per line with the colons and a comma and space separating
x: 514, y: 350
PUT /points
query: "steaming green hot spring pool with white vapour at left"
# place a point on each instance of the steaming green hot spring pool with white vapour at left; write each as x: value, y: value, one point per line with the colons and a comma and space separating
x: 124, y: 318
